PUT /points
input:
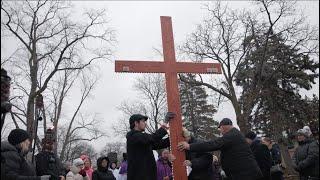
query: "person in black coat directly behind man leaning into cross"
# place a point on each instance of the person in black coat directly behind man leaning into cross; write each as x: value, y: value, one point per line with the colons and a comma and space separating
x: 261, y: 154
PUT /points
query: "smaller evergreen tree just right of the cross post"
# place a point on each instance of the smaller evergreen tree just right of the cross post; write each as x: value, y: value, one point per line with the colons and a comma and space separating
x: 197, y: 114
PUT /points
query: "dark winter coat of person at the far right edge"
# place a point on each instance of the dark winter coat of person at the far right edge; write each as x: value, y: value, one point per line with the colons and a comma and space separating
x: 306, y: 158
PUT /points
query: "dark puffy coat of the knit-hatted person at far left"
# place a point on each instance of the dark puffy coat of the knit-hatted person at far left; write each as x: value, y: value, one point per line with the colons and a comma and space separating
x: 16, y: 167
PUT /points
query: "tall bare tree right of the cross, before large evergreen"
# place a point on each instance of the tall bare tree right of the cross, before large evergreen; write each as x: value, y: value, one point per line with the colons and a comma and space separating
x: 222, y: 35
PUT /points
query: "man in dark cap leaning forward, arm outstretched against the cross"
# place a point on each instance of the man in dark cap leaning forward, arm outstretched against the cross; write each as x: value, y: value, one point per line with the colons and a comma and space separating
x: 237, y: 159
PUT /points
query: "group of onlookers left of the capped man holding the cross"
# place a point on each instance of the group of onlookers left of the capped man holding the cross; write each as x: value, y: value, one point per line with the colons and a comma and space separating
x: 49, y: 167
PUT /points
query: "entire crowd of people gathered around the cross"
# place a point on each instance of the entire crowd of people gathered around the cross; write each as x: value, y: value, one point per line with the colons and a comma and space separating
x: 242, y: 156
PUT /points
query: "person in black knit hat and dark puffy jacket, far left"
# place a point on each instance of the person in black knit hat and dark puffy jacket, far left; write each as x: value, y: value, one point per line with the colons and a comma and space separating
x: 15, y: 150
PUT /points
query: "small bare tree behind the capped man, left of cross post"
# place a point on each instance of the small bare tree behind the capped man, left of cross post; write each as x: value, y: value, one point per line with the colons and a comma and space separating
x: 152, y: 103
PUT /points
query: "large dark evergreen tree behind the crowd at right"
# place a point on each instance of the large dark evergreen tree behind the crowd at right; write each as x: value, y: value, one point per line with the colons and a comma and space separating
x: 280, y: 71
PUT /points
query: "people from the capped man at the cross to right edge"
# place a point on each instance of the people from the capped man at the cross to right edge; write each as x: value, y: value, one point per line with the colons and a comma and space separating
x: 242, y: 157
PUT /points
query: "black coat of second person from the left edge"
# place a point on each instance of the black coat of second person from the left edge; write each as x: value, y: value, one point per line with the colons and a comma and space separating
x: 47, y: 163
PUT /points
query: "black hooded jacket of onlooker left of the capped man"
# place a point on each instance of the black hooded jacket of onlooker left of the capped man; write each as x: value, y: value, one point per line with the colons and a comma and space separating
x: 102, y: 173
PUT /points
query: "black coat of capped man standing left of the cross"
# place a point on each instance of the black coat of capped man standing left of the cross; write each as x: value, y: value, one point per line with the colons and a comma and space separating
x: 141, y: 162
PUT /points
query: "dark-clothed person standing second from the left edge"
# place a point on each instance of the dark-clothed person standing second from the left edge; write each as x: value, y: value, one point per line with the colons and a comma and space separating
x: 47, y: 163
